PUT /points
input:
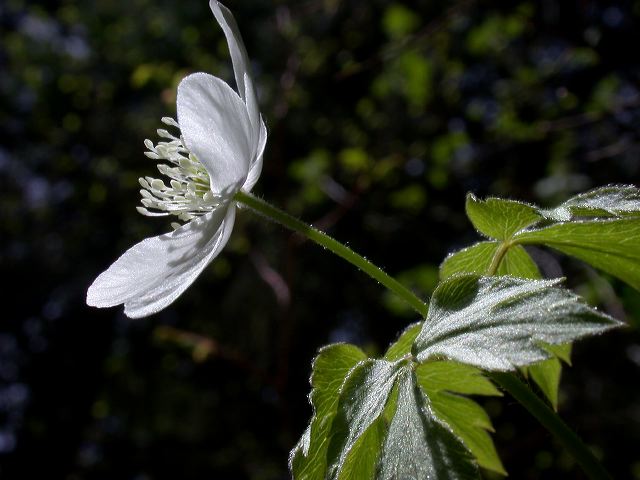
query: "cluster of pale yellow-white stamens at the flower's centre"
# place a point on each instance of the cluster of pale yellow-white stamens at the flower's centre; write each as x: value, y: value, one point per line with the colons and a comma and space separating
x: 188, y: 194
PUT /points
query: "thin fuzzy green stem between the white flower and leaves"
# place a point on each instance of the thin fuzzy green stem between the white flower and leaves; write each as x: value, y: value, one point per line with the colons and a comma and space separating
x: 275, y: 214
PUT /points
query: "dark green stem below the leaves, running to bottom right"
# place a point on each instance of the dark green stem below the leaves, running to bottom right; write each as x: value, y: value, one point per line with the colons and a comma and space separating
x: 553, y: 423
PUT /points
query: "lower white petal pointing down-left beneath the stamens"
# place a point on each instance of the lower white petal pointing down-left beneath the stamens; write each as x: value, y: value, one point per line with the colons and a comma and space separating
x: 153, y: 273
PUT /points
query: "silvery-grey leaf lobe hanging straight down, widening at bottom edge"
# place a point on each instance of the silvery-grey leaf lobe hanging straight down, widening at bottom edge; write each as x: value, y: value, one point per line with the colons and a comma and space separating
x: 417, y: 445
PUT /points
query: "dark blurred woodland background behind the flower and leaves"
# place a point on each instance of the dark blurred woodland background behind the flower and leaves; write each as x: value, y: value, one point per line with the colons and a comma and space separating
x: 381, y: 116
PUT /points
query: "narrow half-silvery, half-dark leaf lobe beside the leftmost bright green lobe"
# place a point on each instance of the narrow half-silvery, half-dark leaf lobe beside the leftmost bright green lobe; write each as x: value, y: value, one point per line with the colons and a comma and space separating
x: 363, y: 397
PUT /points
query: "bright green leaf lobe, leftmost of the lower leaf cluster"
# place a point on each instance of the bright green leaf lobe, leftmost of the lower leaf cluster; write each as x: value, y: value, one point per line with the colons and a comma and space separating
x: 308, y: 458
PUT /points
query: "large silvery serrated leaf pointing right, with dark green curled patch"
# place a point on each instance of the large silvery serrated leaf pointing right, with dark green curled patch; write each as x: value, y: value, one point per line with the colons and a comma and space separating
x: 498, y: 323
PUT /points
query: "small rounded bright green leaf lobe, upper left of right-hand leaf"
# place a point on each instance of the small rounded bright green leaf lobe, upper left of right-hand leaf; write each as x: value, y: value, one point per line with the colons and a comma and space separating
x: 498, y: 218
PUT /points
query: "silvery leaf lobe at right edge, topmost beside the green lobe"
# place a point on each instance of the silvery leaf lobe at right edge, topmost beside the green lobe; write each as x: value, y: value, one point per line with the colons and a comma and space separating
x: 608, y: 201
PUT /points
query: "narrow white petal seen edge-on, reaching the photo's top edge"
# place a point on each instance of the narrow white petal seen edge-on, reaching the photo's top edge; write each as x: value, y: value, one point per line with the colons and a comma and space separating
x: 239, y: 58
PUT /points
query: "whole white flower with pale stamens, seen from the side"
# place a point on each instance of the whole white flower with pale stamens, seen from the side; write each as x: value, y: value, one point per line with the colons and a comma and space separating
x: 218, y: 153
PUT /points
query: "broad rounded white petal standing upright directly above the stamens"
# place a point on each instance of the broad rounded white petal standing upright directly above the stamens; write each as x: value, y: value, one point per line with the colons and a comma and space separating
x: 216, y: 128
